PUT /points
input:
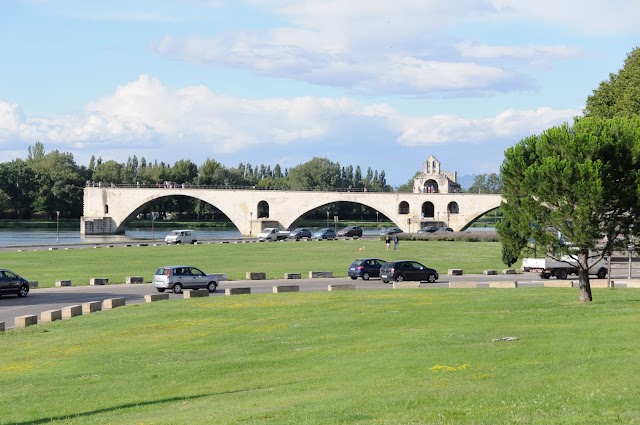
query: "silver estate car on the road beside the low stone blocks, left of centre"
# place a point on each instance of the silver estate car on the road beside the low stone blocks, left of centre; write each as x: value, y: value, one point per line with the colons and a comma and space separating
x: 177, y: 278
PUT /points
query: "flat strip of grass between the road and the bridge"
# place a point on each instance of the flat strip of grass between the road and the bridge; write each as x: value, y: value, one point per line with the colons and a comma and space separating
x: 275, y: 259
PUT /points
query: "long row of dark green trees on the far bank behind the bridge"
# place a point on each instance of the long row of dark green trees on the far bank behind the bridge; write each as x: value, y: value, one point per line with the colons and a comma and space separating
x: 48, y: 182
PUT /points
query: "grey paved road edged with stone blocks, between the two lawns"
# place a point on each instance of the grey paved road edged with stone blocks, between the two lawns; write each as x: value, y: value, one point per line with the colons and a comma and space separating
x: 40, y: 300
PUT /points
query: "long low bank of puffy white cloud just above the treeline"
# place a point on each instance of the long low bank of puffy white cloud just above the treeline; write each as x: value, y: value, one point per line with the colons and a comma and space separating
x: 146, y: 114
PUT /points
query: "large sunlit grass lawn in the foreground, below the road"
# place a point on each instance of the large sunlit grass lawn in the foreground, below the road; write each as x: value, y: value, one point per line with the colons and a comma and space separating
x: 366, y: 357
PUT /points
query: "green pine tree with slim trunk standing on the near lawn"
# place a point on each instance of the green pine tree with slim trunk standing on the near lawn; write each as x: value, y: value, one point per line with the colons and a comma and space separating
x: 581, y: 182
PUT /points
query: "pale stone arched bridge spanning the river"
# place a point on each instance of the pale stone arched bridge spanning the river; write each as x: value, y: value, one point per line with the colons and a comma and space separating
x: 108, y: 210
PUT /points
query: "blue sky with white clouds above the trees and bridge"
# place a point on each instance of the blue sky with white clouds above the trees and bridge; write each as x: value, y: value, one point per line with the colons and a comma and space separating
x: 375, y: 83
